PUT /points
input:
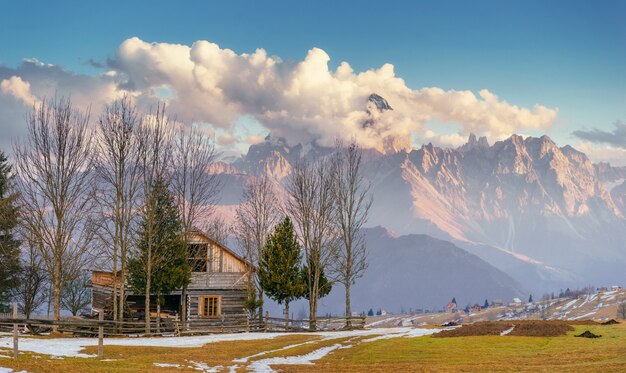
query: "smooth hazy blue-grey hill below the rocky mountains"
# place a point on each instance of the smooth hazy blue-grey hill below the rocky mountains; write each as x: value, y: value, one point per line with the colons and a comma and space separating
x: 419, y: 271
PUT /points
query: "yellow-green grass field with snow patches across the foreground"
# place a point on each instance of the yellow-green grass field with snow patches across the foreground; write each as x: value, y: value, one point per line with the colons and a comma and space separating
x: 357, y: 354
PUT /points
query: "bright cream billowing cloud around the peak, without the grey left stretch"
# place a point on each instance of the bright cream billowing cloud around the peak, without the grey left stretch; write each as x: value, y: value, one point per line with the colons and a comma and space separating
x: 305, y: 100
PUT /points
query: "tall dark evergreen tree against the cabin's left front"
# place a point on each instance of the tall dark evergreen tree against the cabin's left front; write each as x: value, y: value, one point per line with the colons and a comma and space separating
x: 170, y: 270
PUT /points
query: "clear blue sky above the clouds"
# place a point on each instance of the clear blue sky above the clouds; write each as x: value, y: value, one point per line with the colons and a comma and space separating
x: 569, y: 55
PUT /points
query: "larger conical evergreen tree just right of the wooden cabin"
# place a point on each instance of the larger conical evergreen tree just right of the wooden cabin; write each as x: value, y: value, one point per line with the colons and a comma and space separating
x: 280, y: 266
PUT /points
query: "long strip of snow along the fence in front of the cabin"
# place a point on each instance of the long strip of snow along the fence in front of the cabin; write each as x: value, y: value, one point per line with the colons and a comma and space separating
x: 73, y: 346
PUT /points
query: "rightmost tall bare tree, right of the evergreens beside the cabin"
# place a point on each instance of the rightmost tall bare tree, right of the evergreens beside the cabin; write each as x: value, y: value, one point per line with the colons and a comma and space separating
x: 352, y: 205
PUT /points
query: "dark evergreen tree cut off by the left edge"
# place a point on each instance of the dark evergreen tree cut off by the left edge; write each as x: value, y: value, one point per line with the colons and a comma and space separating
x: 9, y: 246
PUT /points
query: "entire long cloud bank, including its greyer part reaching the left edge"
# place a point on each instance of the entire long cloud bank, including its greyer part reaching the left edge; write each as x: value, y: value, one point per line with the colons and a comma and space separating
x: 300, y: 100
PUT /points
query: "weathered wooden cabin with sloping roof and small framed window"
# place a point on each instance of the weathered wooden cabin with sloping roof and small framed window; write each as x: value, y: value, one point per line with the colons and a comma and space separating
x: 218, y: 288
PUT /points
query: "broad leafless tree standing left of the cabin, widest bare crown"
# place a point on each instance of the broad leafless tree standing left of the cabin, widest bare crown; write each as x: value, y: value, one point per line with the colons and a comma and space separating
x: 56, y: 183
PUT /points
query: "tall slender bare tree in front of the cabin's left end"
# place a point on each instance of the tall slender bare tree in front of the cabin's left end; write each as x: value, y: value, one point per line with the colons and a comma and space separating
x: 118, y: 169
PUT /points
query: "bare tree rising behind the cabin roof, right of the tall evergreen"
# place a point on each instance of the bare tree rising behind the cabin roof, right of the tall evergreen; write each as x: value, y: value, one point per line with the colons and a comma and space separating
x: 196, y: 189
